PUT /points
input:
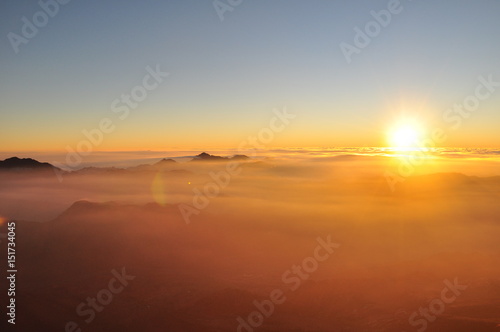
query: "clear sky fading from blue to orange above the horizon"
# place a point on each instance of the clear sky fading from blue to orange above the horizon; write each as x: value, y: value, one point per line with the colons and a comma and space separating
x: 227, y: 76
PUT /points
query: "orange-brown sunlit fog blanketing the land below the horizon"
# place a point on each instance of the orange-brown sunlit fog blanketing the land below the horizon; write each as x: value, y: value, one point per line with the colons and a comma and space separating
x: 205, y: 242
